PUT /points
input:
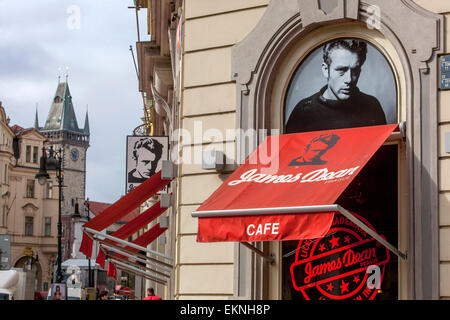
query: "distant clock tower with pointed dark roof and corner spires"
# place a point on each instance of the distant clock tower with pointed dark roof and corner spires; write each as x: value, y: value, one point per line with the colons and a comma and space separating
x: 62, y: 131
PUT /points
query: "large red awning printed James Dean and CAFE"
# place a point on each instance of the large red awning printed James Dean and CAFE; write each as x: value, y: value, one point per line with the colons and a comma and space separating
x: 286, y: 175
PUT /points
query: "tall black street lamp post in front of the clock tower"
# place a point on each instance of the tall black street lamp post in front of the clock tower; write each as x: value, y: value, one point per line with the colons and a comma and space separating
x: 53, y: 162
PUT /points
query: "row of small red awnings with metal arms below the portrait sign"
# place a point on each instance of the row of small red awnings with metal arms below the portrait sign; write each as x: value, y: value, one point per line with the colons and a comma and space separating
x: 121, y: 253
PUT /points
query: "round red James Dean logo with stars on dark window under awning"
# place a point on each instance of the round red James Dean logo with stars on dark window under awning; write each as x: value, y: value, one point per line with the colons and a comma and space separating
x: 345, y: 264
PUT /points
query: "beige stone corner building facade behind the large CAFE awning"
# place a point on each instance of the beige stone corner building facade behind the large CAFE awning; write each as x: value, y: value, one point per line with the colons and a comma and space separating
x: 241, y: 66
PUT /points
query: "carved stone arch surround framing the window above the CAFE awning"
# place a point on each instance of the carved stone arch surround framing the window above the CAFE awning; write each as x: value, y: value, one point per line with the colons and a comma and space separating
x: 417, y: 42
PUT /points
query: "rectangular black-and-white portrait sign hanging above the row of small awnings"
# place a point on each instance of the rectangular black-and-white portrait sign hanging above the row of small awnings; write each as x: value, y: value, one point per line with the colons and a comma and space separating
x: 144, y: 157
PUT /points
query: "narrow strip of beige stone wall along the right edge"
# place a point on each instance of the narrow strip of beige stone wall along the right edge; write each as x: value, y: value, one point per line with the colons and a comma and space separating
x: 443, y: 7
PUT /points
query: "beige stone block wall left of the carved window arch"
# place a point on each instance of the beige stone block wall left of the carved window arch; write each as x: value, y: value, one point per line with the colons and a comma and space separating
x: 208, y: 105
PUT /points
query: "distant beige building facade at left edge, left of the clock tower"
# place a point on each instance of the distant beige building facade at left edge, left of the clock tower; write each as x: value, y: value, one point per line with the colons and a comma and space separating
x: 29, y: 214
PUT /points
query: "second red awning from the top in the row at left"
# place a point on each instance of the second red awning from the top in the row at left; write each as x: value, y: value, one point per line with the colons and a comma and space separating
x: 133, y: 226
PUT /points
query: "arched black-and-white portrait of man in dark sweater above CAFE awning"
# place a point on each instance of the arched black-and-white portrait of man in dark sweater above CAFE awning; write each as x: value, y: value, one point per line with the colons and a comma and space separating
x: 344, y: 83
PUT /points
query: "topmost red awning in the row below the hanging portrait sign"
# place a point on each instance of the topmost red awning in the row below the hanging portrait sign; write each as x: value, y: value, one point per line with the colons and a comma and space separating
x: 122, y: 207
